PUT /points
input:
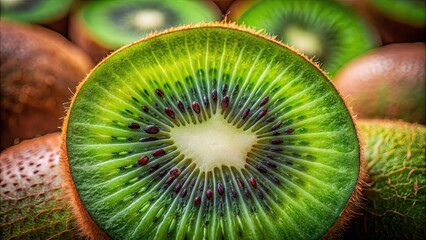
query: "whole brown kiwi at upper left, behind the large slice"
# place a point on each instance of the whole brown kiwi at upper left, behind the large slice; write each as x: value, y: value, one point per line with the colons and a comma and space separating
x: 38, y: 68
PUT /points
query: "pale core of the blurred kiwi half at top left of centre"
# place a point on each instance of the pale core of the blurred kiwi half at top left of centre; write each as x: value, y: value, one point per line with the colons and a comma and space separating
x: 149, y: 19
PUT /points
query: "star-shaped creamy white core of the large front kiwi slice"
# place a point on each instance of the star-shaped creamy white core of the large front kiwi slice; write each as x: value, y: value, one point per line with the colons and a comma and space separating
x: 214, y: 143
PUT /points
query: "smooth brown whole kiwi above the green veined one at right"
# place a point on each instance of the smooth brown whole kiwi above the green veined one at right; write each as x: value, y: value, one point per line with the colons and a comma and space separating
x: 387, y: 82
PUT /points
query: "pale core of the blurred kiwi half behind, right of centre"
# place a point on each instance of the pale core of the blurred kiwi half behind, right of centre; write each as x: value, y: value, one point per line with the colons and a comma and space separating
x: 305, y: 41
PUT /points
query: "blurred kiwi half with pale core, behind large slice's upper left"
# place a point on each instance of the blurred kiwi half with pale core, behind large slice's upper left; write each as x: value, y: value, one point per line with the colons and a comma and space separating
x: 103, y: 26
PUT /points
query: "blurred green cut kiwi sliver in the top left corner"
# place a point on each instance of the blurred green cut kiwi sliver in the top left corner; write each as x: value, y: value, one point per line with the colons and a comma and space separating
x: 36, y: 11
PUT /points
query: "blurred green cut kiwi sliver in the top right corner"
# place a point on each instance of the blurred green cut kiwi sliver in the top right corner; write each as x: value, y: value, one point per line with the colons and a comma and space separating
x: 409, y: 11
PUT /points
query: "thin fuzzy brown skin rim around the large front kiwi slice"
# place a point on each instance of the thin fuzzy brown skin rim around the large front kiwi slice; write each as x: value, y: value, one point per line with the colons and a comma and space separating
x: 89, y: 227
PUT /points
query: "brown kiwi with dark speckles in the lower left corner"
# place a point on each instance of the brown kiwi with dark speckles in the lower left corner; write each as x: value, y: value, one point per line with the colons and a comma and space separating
x: 32, y: 199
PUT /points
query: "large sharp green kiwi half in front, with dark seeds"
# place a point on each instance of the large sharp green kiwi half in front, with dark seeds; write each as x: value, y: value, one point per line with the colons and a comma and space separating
x: 210, y: 131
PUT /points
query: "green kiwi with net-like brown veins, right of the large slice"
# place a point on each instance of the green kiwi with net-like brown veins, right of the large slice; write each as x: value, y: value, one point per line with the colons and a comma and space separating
x: 395, y: 159
